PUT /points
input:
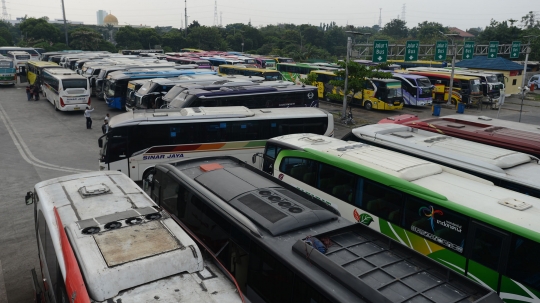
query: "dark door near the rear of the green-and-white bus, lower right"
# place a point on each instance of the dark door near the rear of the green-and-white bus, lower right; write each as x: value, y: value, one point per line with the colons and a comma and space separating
x: 487, y: 254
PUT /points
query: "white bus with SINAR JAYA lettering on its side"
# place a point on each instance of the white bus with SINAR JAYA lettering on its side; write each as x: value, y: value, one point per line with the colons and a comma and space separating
x: 139, y: 140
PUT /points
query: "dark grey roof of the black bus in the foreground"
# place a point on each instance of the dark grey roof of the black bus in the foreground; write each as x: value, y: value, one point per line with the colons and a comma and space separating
x: 281, y: 218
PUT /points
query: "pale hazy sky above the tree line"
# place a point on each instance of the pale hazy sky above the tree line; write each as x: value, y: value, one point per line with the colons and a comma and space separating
x: 463, y: 14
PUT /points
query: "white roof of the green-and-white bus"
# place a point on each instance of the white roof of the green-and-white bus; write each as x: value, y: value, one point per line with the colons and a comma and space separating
x: 491, y: 203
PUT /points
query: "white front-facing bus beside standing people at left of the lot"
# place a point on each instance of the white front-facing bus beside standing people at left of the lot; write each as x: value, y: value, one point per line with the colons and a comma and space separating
x: 65, y: 89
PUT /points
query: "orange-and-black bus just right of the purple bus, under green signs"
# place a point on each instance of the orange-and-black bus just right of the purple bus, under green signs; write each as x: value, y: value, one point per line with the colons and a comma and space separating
x: 465, y: 89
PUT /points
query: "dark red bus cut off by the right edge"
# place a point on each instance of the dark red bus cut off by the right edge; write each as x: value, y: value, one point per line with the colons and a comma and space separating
x: 516, y: 136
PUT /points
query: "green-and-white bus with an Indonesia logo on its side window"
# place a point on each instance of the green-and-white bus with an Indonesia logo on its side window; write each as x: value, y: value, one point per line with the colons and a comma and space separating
x: 488, y: 233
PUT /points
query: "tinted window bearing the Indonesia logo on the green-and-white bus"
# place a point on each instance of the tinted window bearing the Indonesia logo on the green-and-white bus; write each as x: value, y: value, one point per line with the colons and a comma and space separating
x: 442, y: 226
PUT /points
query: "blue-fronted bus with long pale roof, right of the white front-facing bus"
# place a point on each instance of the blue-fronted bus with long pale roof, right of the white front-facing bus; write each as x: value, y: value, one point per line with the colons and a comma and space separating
x: 115, y: 86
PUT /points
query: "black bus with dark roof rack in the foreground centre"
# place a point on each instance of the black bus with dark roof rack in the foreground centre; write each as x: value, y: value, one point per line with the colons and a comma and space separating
x: 260, y: 228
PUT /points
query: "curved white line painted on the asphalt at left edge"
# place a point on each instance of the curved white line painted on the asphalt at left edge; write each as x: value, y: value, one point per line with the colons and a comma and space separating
x: 25, y: 152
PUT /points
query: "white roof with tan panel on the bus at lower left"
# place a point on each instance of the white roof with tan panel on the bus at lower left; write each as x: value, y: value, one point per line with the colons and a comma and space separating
x: 116, y: 231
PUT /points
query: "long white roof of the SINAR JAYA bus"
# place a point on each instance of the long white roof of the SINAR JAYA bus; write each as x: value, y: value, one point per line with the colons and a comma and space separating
x: 210, y: 113
